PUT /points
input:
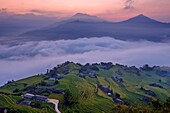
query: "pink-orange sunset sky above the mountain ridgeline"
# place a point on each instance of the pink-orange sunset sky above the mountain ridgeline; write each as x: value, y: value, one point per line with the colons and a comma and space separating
x: 108, y: 9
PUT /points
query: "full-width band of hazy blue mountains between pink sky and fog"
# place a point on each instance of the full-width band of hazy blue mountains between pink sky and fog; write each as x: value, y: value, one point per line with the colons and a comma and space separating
x: 36, y: 27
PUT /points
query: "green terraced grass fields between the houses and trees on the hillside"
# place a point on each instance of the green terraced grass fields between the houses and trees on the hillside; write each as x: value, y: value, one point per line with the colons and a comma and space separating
x: 85, y: 94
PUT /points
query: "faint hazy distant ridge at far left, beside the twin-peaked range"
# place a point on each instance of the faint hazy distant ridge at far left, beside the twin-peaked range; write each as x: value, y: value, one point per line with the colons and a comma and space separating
x: 14, y: 24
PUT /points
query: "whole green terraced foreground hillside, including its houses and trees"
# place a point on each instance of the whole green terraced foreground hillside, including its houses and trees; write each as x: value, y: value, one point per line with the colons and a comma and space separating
x: 90, y: 88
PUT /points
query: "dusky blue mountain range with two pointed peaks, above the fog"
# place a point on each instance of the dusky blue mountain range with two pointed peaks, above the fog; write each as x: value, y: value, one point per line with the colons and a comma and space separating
x: 83, y: 25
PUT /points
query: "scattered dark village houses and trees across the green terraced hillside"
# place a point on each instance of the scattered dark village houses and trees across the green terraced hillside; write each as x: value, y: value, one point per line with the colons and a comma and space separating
x: 39, y: 92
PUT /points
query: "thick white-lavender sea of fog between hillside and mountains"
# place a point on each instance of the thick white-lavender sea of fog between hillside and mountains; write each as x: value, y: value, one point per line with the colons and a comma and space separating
x: 19, y: 59
